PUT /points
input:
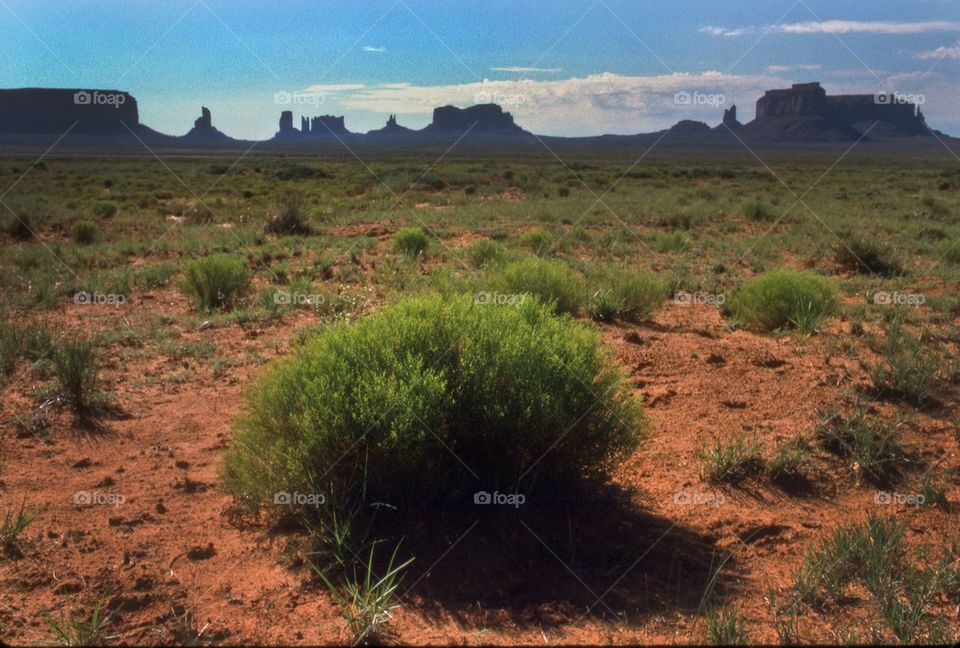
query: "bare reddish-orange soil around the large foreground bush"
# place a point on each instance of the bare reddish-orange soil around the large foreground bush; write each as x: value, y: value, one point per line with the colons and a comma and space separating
x: 175, y: 546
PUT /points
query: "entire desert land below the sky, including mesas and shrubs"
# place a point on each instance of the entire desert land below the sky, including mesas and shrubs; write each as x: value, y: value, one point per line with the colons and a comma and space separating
x: 468, y: 384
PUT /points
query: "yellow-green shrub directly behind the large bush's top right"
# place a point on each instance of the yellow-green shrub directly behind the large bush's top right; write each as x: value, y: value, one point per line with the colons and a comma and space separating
x: 551, y: 281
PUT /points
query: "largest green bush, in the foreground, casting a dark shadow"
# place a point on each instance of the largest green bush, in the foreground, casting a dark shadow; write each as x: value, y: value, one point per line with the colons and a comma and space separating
x: 433, y: 399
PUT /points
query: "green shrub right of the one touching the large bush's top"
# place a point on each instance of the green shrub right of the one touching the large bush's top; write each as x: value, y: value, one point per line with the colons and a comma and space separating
x: 631, y: 294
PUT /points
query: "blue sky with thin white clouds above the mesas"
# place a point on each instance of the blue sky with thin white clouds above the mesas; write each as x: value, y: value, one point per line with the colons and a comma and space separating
x: 564, y: 67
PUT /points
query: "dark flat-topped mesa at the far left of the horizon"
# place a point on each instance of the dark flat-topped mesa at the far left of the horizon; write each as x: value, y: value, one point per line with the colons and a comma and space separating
x: 56, y: 111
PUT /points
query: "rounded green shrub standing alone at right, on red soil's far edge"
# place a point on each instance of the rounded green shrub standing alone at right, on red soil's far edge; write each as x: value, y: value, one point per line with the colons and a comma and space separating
x: 785, y: 298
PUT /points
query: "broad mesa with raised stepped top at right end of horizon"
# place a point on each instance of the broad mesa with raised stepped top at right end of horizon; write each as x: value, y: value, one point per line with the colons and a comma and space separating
x: 805, y: 113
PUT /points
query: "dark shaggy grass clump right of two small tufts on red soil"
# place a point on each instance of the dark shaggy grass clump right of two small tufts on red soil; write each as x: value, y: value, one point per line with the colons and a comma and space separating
x: 871, y: 443
